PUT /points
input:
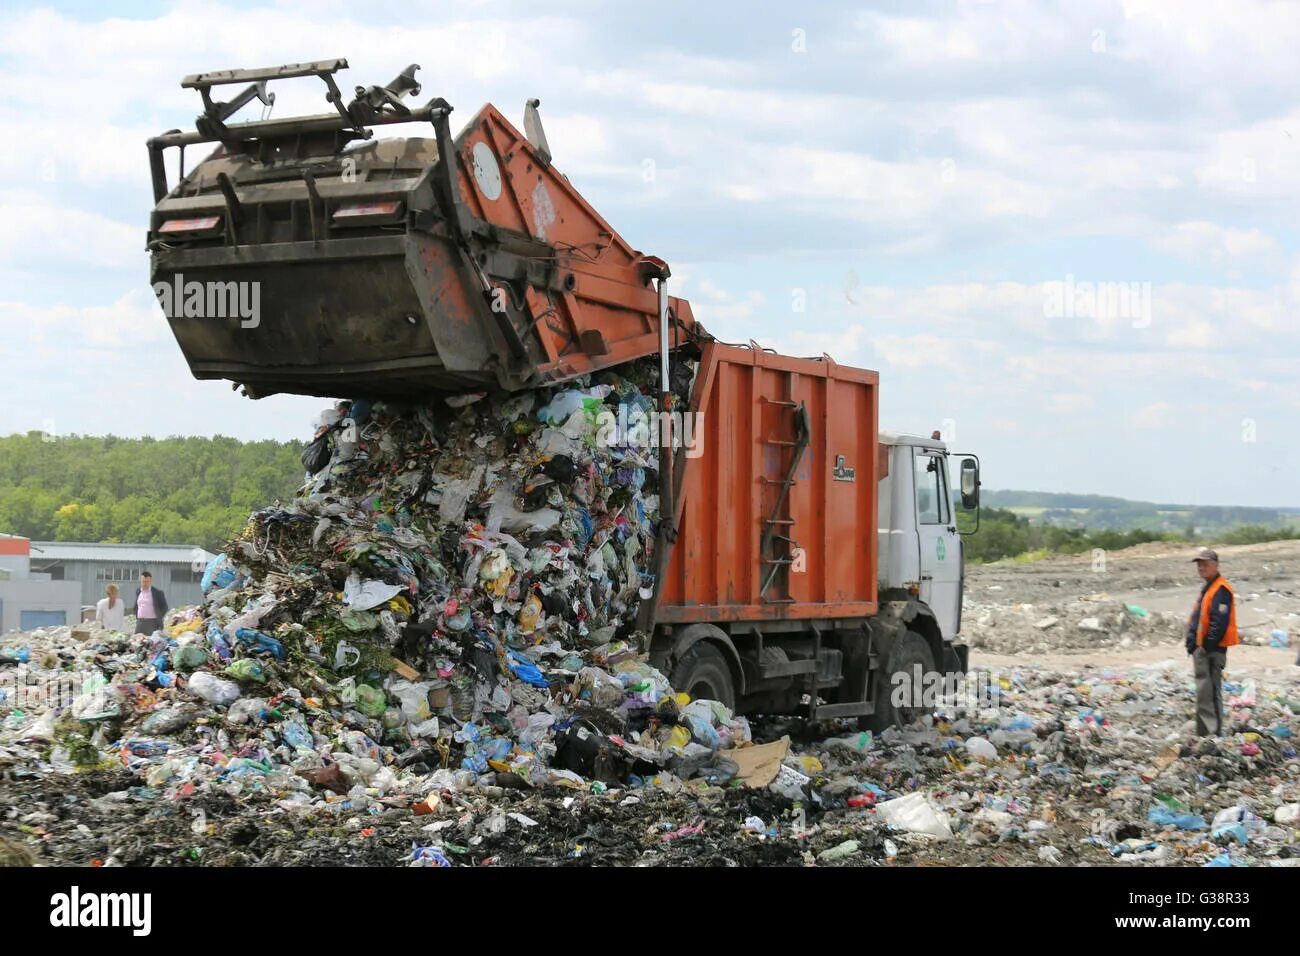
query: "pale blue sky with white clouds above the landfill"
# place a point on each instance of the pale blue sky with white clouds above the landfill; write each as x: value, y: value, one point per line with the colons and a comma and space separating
x: 1065, y: 235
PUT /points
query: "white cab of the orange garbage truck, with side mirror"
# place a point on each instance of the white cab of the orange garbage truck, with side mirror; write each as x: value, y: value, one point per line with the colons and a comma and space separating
x: 921, y: 548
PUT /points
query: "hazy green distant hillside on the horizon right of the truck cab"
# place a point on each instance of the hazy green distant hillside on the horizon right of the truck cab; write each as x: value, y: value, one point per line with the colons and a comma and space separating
x: 1104, y: 513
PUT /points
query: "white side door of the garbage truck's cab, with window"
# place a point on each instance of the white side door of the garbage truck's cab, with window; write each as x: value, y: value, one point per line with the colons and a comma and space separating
x: 941, y: 546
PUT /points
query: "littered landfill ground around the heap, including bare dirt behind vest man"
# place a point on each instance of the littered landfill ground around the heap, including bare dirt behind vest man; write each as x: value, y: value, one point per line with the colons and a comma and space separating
x: 1104, y: 750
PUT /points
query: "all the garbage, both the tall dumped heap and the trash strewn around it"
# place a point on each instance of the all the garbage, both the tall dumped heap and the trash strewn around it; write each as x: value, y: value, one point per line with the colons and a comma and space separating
x: 432, y: 657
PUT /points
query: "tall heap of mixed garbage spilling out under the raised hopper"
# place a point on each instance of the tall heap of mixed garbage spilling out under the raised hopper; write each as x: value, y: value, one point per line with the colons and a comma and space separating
x: 453, y: 598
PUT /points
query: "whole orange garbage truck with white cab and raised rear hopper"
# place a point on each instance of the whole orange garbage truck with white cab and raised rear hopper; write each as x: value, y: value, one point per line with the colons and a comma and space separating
x: 805, y: 561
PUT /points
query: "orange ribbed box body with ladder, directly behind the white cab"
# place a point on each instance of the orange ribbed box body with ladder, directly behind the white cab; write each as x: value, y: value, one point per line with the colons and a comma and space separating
x: 731, y: 494
